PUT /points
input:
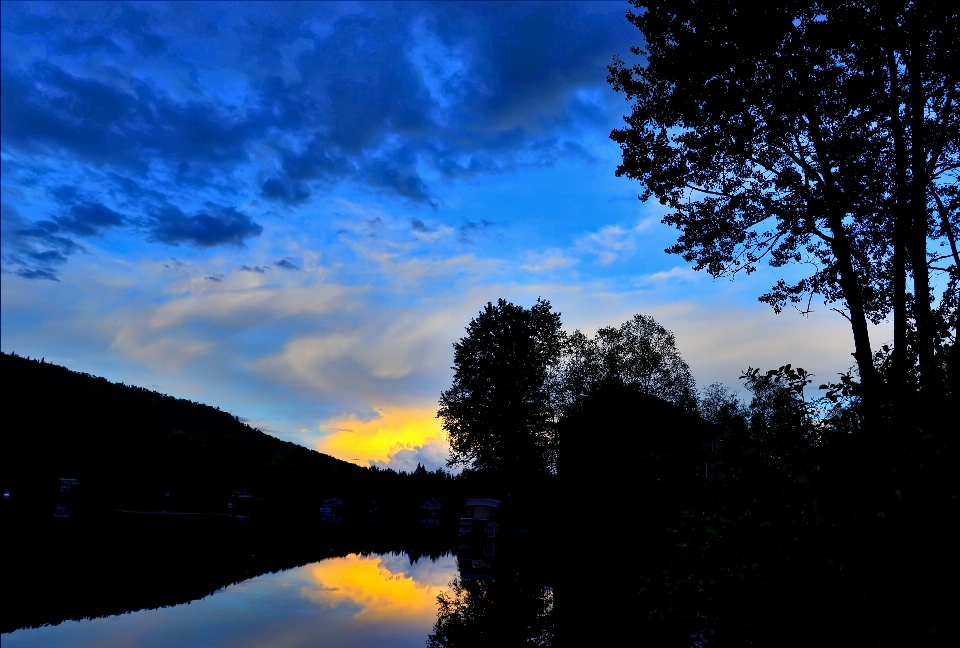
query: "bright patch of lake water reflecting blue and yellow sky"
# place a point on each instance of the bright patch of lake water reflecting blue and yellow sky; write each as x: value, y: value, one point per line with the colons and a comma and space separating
x: 355, y: 600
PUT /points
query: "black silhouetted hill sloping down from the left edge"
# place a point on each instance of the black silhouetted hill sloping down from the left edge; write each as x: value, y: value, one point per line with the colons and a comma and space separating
x: 132, y: 448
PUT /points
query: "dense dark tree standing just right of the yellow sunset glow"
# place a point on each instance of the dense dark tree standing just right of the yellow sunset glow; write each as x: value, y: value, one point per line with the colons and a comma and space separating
x: 498, y: 412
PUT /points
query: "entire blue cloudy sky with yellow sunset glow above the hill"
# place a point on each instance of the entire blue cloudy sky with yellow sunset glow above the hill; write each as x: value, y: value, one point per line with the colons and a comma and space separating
x: 292, y: 210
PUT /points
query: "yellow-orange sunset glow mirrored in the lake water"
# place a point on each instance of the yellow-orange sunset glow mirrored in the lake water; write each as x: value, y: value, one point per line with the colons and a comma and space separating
x: 380, y: 594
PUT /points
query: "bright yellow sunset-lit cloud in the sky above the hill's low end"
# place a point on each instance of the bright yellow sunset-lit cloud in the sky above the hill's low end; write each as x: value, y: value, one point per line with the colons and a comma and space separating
x: 358, y: 441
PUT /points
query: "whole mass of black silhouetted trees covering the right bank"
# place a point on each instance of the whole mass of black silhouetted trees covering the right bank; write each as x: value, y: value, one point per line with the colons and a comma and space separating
x: 824, y: 145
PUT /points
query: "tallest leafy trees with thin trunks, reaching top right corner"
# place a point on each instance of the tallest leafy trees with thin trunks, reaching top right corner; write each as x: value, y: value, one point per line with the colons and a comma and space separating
x: 810, y: 134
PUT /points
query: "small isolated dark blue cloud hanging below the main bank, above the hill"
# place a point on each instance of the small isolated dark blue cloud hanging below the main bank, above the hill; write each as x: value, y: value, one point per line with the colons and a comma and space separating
x: 215, y: 226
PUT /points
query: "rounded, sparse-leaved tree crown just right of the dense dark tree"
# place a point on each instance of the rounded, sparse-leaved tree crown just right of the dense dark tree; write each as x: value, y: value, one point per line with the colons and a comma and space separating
x: 640, y: 353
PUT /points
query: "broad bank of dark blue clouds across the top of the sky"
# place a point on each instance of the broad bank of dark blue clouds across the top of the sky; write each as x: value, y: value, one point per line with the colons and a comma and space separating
x: 317, y: 95
